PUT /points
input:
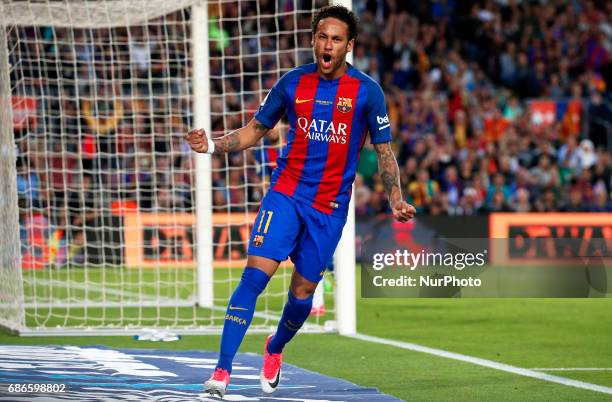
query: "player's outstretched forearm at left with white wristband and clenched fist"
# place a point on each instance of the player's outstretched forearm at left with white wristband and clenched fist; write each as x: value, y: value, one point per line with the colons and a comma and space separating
x: 237, y: 140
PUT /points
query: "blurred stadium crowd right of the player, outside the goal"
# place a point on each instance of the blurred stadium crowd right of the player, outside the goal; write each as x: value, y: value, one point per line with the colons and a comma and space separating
x: 462, y: 80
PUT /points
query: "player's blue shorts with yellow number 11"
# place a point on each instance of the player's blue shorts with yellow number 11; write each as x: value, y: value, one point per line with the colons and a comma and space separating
x: 286, y: 227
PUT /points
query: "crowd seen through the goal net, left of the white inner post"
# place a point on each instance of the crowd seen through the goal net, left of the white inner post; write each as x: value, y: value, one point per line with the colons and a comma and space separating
x: 101, y: 111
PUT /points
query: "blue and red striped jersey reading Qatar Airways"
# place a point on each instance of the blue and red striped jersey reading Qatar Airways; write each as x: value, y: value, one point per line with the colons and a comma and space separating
x: 328, y: 121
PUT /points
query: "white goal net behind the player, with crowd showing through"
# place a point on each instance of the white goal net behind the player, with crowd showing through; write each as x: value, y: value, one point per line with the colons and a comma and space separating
x: 102, y: 229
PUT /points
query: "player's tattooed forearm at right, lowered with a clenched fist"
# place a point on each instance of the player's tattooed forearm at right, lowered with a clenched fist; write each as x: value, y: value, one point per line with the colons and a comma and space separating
x: 389, y: 173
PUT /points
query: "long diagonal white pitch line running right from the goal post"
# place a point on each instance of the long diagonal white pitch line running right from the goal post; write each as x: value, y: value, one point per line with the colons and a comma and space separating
x: 486, y: 363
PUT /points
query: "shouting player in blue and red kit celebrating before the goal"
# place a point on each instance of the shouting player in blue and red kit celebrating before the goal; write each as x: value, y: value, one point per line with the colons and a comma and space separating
x: 331, y: 106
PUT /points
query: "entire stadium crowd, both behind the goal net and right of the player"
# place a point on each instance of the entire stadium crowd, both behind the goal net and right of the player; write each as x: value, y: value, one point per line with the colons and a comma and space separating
x: 462, y: 80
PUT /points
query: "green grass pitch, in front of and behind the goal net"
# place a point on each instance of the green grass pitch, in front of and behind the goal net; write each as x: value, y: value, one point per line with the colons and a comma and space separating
x: 528, y: 333
